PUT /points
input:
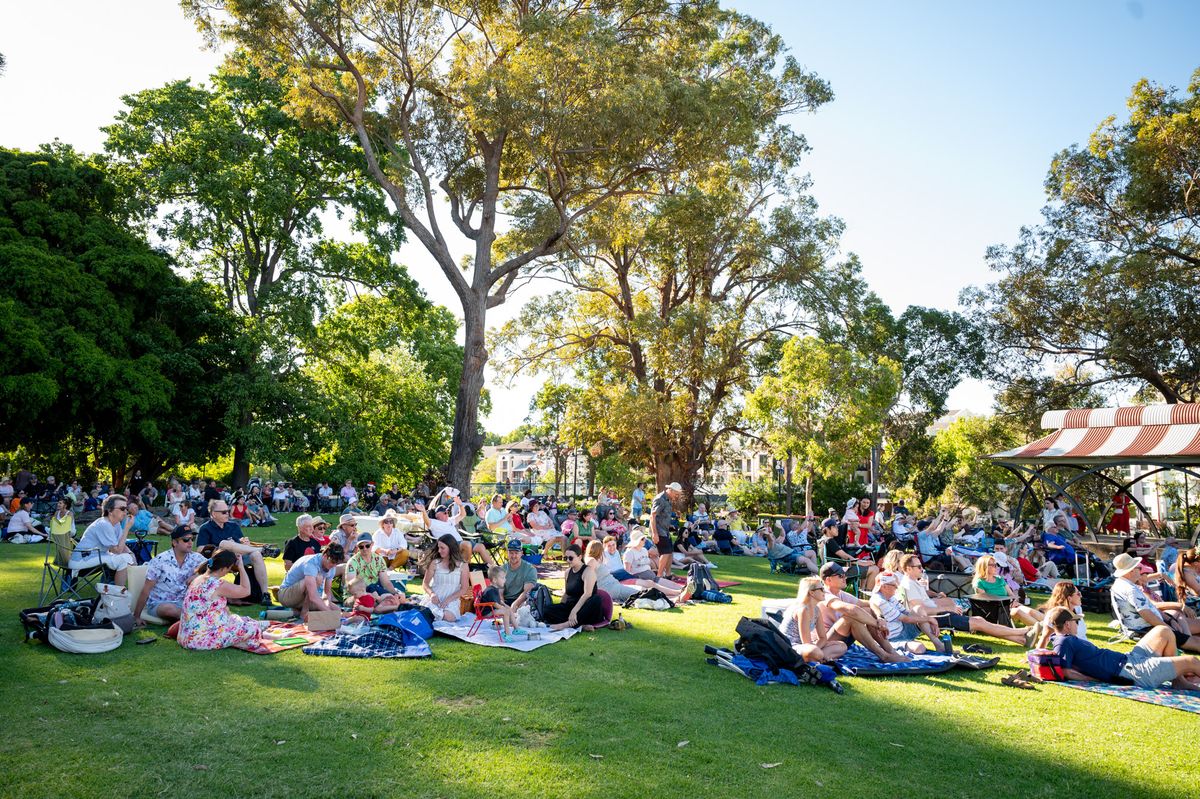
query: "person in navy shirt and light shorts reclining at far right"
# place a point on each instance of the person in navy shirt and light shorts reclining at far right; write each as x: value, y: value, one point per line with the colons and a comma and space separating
x: 1151, y: 664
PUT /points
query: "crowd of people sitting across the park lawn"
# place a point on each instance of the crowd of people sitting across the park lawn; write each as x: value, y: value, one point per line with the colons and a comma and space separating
x: 866, y: 572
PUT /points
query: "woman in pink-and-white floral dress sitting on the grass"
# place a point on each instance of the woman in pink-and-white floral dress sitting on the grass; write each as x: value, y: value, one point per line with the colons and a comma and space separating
x: 207, y: 623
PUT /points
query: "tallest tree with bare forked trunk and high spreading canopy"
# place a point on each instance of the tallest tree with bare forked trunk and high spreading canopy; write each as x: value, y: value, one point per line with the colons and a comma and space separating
x: 539, y: 113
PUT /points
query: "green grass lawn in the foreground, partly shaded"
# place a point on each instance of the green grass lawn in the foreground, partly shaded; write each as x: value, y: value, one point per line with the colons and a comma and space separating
x: 604, y: 714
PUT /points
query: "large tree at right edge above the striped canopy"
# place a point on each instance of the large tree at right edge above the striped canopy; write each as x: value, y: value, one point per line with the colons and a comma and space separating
x: 1109, y: 284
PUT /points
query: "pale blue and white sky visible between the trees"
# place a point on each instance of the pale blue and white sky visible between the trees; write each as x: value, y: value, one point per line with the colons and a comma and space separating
x: 945, y: 119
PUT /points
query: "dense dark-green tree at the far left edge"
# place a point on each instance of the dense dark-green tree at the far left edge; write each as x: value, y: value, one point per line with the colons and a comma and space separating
x: 109, y: 355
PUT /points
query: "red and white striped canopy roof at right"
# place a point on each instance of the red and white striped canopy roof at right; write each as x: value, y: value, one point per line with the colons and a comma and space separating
x: 1163, y: 434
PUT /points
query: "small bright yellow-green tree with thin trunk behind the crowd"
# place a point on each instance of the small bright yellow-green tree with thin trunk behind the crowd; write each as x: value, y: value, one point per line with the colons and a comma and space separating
x: 825, y: 408
